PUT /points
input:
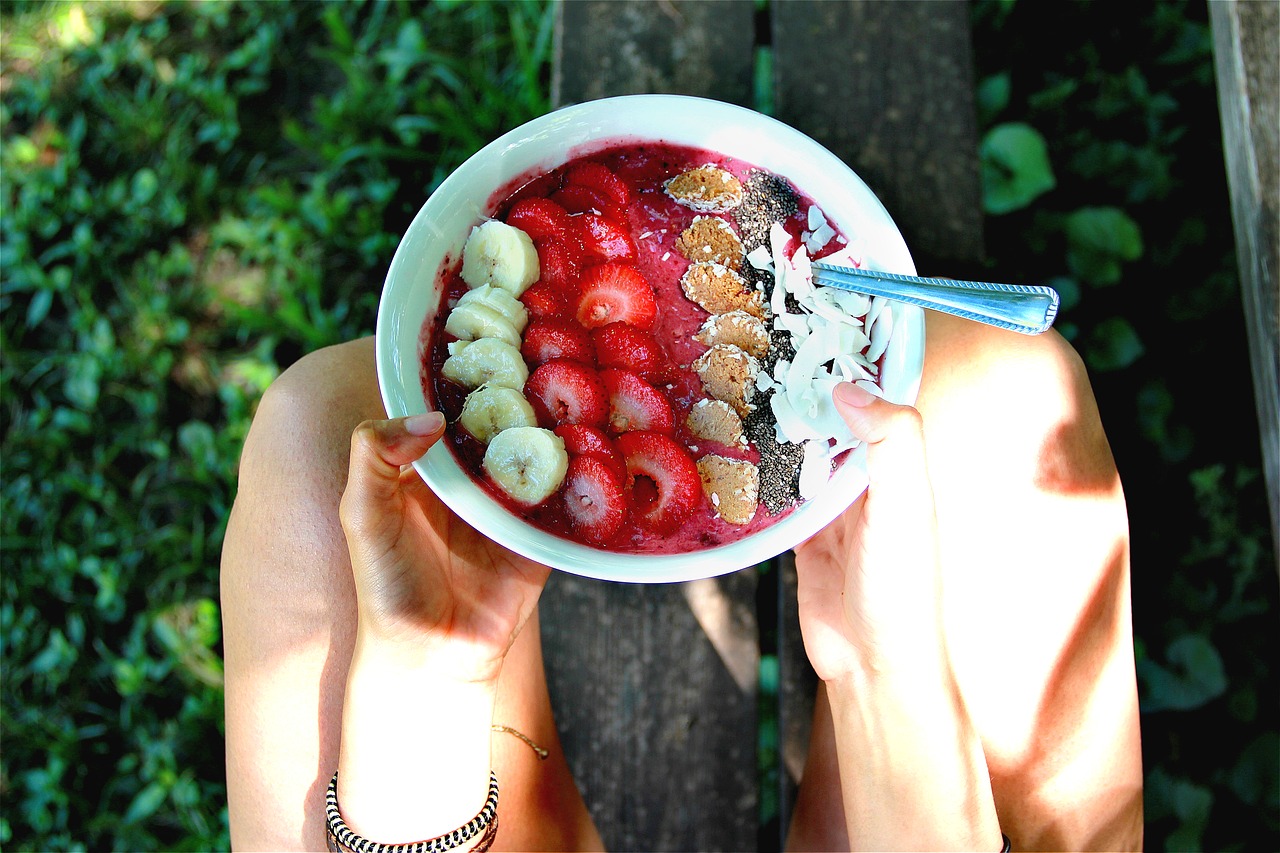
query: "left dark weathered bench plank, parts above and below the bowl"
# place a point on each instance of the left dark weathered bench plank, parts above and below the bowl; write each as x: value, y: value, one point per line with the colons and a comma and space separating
x: 655, y: 687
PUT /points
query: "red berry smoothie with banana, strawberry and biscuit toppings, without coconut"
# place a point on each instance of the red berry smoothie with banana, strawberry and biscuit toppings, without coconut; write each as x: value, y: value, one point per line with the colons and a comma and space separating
x: 623, y: 281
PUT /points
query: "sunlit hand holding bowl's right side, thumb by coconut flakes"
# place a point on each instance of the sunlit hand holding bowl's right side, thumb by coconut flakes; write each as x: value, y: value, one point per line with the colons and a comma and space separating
x: 870, y: 585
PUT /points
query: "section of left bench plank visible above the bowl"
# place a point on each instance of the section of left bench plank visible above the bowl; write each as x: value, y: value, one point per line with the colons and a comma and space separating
x: 650, y: 47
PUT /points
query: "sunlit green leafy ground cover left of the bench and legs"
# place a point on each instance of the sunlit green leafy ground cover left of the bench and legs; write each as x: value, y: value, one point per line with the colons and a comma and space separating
x: 194, y: 195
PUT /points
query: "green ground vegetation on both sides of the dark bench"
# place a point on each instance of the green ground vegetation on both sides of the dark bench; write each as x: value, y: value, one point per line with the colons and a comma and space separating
x: 195, y: 195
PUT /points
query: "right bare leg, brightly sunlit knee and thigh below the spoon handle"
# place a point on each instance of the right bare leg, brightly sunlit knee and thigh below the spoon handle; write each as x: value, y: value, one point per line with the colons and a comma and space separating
x: 1036, y: 559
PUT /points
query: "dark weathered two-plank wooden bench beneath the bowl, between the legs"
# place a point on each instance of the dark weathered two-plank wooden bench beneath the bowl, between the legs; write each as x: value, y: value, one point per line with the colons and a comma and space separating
x: 657, y: 688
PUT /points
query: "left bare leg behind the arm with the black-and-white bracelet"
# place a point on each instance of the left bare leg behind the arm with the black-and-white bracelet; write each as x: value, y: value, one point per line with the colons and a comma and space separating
x: 289, y: 621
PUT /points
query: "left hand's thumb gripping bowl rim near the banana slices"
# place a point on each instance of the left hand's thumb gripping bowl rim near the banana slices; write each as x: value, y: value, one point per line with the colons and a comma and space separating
x: 381, y: 448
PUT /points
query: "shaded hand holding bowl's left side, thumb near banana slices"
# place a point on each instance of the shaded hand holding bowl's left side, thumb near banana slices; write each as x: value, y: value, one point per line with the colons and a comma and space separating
x: 427, y: 583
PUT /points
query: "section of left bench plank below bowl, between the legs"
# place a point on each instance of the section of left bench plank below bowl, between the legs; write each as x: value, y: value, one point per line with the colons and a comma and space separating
x: 659, y: 723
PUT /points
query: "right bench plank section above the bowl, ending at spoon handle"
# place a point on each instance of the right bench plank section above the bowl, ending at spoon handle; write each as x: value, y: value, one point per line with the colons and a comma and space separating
x: 889, y: 88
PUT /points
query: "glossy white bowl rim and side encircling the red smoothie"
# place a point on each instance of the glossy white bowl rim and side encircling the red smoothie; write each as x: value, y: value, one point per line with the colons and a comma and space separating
x: 460, y: 492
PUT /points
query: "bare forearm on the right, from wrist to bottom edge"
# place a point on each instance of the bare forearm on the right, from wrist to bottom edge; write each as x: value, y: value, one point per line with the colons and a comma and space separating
x: 912, y: 768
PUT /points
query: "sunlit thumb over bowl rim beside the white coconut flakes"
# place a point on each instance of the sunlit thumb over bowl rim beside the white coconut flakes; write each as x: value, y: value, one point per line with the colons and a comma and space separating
x: 895, y: 441
